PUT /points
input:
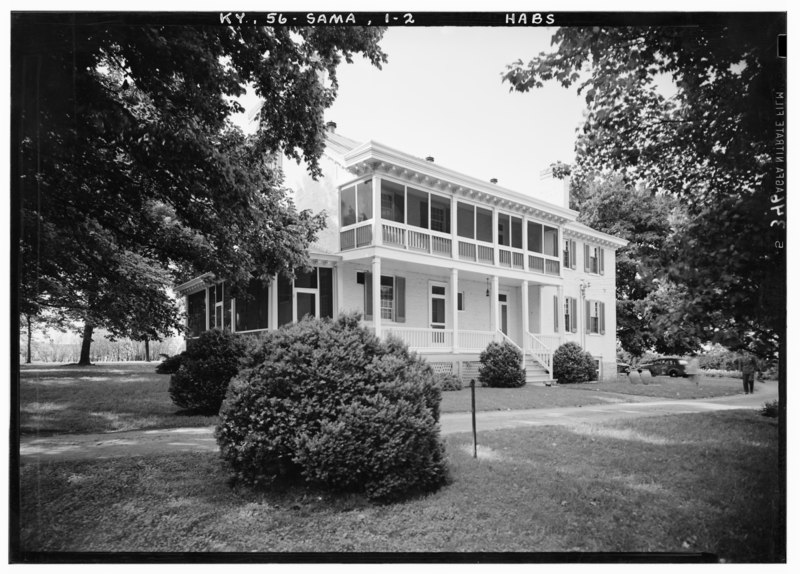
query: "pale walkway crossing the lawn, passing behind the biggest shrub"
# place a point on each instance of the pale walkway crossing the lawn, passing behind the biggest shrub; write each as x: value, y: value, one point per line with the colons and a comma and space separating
x: 201, y: 439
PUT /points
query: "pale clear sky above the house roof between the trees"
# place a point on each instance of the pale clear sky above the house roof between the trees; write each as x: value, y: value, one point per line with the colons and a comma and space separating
x: 441, y: 95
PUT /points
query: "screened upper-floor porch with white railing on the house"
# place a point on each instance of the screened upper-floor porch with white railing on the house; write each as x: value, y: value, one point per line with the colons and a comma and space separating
x: 419, y: 221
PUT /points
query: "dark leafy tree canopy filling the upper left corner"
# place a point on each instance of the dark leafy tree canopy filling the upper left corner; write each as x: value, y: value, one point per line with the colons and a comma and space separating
x: 130, y: 173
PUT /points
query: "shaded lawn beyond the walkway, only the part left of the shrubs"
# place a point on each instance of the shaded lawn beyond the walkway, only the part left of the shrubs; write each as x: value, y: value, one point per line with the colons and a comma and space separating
x: 57, y: 399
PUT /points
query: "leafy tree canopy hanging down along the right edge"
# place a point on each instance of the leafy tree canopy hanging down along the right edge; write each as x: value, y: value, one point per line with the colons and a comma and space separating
x: 691, y: 112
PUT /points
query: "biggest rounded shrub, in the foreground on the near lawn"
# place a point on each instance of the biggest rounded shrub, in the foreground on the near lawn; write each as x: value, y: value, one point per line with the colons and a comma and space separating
x: 328, y: 403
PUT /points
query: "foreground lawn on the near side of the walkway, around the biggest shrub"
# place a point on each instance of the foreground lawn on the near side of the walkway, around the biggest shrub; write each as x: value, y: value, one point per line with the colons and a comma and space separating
x: 683, y: 483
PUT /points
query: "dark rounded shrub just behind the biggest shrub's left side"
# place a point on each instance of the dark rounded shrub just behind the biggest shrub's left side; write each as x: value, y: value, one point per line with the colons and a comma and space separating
x: 207, y: 366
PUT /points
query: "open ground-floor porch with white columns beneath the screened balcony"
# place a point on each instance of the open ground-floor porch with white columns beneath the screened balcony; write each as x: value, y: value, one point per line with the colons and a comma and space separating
x: 451, y: 313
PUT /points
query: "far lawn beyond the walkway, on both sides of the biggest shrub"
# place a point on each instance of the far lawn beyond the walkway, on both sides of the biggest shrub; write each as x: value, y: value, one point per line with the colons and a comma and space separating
x: 107, y: 397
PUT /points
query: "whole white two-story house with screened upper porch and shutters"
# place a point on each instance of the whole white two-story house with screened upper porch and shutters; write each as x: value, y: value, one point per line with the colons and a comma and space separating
x: 444, y: 261
